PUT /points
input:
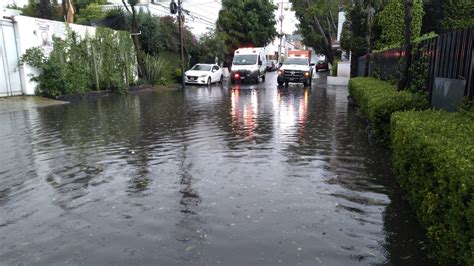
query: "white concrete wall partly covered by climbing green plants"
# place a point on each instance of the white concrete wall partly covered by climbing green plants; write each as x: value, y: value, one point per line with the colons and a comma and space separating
x: 35, y: 32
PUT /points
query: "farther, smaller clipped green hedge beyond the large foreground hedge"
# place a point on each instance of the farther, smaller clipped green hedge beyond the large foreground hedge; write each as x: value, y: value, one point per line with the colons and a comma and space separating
x: 378, y: 99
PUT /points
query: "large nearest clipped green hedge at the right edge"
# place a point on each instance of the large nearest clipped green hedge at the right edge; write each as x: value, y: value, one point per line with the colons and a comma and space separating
x: 433, y: 159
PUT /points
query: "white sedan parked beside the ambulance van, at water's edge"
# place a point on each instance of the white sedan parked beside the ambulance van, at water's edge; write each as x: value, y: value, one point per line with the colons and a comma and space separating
x: 204, y: 74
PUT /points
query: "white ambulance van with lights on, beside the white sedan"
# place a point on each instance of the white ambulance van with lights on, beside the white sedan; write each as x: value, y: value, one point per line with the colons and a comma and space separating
x: 248, y: 64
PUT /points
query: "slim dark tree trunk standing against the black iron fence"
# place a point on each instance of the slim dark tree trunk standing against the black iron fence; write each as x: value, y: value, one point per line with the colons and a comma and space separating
x: 408, y: 45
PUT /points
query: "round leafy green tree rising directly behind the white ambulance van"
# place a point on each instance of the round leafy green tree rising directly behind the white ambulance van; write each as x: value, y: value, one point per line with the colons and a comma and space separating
x: 246, y: 22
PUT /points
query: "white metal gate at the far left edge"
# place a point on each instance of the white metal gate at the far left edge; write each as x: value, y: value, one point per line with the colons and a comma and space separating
x: 10, y: 79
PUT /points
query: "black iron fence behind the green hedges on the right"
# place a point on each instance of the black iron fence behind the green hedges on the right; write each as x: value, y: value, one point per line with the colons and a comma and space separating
x: 448, y: 56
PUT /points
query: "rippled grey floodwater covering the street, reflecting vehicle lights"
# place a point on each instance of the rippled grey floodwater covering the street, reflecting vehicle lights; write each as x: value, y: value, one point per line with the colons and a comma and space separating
x: 227, y: 175
